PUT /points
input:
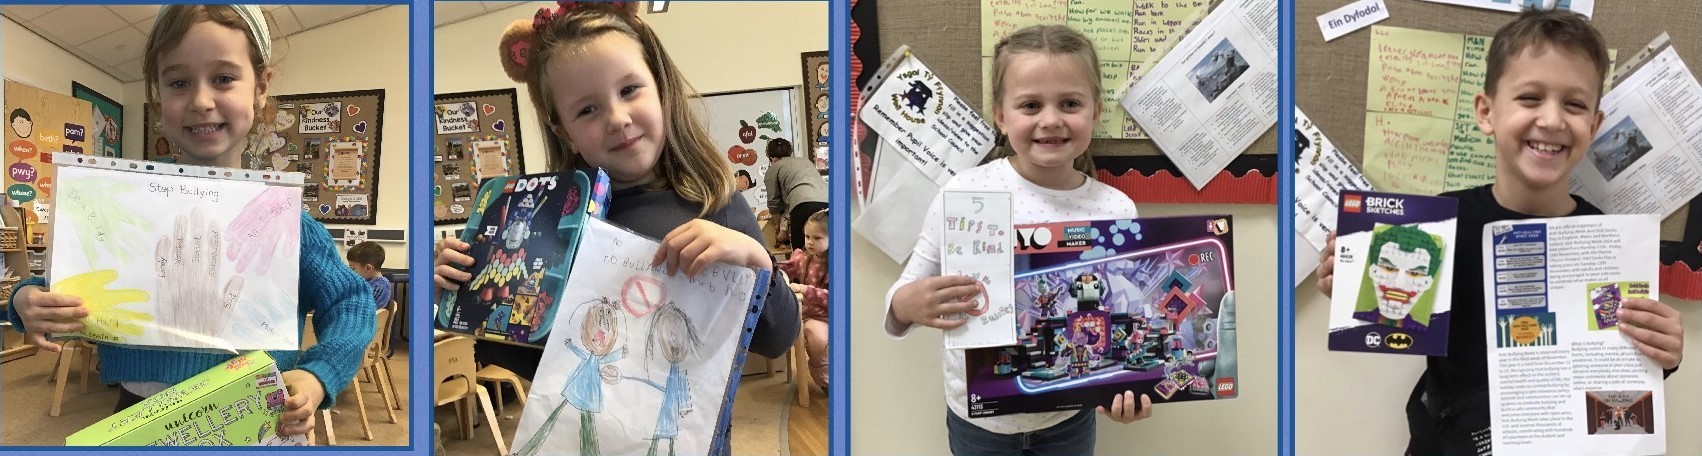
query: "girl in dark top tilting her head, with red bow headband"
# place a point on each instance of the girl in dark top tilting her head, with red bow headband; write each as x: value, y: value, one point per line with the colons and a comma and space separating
x: 614, y: 100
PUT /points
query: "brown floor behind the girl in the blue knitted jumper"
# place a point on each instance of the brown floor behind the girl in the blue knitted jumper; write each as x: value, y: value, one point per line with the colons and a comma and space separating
x: 28, y: 385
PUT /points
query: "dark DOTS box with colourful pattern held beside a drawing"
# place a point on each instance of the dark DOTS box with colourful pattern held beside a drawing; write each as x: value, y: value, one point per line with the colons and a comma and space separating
x: 523, y: 236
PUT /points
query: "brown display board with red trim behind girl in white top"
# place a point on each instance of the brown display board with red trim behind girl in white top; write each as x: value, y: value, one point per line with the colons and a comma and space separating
x: 952, y: 48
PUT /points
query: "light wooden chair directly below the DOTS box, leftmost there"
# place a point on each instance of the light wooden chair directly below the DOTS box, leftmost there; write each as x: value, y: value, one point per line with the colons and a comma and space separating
x: 457, y: 384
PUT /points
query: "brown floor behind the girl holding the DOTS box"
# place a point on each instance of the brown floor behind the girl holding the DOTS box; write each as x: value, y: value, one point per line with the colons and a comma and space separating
x: 767, y: 421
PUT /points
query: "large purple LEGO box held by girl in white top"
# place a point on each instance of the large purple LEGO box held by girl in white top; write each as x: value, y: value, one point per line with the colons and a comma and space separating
x: 1114, y: 305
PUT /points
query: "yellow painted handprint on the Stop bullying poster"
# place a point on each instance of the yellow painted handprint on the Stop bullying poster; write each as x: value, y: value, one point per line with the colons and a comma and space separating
x: 106, y: 321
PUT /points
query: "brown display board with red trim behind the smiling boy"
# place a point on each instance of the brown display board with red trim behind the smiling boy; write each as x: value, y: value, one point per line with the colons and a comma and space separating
x: 1332, y: 81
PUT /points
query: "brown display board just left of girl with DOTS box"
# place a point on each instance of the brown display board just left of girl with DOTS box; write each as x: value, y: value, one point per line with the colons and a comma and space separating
x: 477, y: 135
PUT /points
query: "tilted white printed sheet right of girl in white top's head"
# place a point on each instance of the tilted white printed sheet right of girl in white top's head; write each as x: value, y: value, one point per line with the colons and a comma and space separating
x: 1218, y: 93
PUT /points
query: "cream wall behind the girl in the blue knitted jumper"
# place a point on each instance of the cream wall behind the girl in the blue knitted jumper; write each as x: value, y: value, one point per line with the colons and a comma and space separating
x: 360, y: 54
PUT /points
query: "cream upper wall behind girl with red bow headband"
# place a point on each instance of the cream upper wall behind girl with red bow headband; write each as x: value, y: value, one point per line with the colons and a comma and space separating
x: 716, y: 45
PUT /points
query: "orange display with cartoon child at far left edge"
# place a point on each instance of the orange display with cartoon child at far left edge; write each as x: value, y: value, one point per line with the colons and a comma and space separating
x: 40, y: 125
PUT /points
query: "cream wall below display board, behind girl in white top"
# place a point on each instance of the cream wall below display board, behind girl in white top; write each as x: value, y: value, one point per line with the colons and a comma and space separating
x: 900, y: 396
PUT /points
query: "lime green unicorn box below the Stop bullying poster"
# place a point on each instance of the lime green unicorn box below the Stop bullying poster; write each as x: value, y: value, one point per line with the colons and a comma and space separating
x: 234, y: 404
